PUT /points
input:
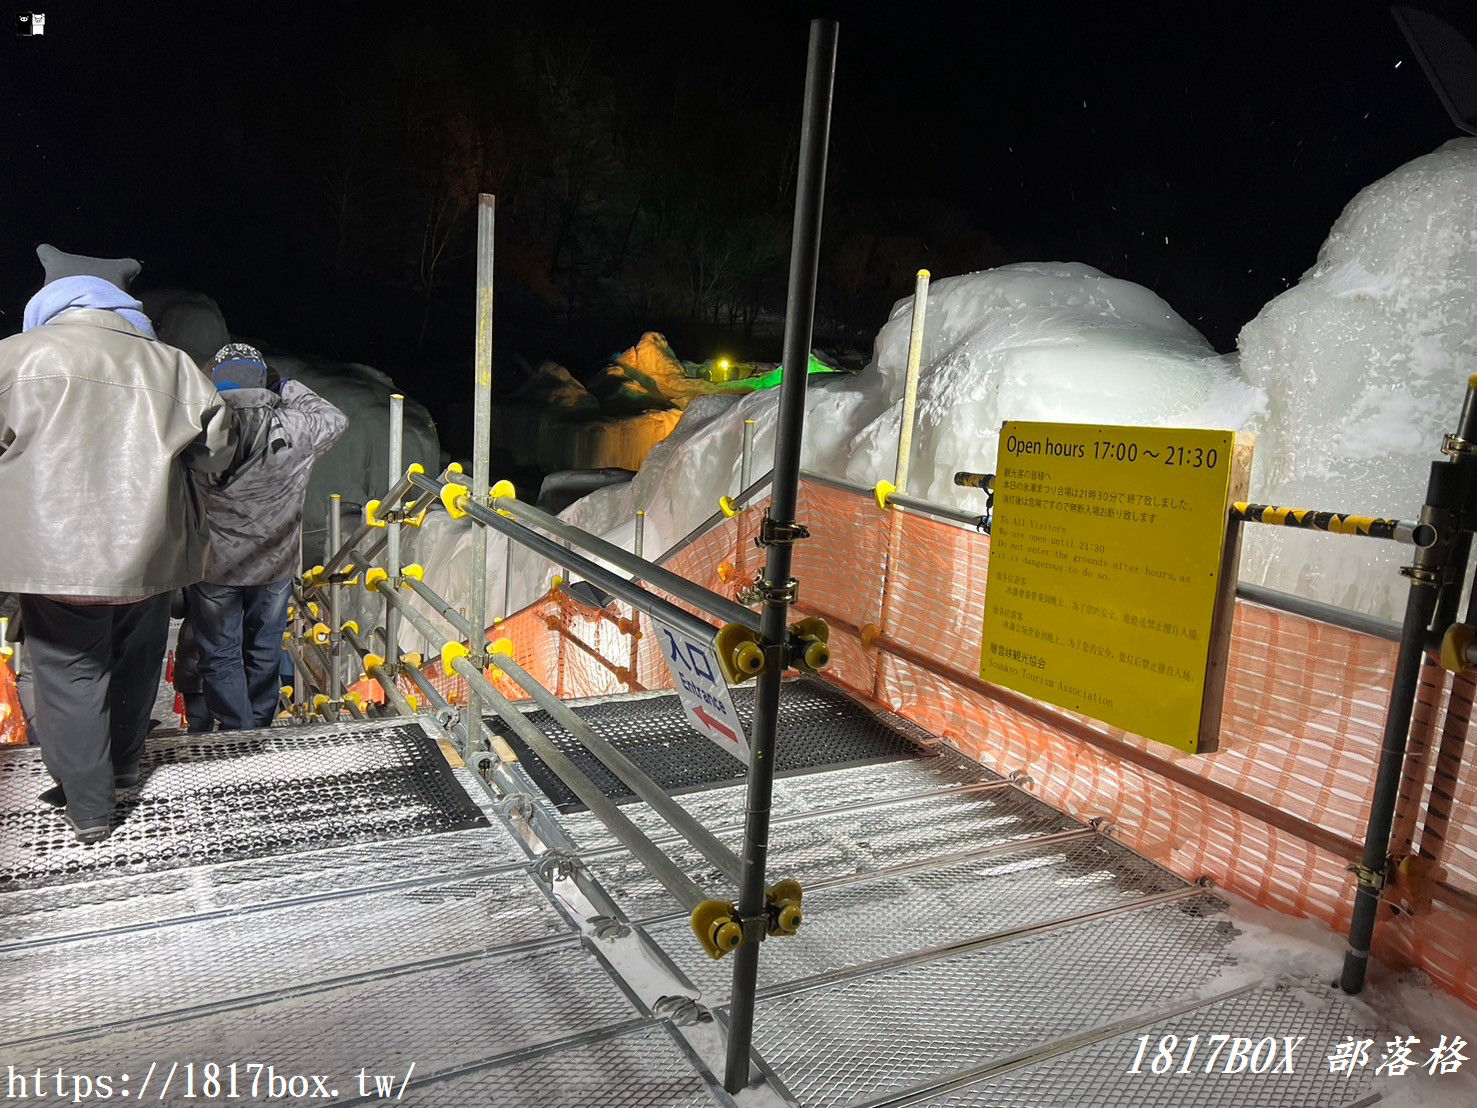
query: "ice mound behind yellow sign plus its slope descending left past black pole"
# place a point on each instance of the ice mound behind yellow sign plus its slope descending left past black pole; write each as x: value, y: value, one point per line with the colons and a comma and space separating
x: 1032, y: 342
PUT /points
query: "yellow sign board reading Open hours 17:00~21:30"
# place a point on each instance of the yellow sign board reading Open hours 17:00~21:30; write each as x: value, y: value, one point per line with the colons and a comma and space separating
x: 1104, y: 593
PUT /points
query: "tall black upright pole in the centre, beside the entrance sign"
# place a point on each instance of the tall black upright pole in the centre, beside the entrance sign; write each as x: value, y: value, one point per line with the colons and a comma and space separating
x: 800, y: 318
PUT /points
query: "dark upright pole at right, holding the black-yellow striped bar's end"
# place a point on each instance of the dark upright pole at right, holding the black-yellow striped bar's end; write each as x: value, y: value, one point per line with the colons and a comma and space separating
x: 1447, y: 500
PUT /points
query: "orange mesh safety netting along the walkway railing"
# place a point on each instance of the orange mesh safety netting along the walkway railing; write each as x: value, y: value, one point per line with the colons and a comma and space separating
x: 1275, y: 815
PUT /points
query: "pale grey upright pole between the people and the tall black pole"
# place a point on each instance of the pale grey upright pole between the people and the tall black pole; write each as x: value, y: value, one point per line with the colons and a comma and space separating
x: 481, y: 456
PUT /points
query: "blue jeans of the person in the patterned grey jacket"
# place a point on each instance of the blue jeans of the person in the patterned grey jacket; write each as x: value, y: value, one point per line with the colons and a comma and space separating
x: 240, y: 630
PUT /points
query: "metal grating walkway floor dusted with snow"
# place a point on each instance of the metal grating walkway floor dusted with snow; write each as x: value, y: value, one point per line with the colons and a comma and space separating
x: 965, y: 943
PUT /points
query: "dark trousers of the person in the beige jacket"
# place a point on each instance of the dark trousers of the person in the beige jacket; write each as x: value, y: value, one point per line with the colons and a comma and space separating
x: 97, y: 674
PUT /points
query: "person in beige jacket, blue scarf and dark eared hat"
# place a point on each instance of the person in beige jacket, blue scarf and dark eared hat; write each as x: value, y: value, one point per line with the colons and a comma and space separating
x: 101, y: 426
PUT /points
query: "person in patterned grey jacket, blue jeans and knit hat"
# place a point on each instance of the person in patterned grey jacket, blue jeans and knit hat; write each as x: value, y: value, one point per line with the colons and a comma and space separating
x: 255, y: 510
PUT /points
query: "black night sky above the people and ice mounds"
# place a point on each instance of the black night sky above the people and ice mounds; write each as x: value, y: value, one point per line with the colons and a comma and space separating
x: 311, y: 166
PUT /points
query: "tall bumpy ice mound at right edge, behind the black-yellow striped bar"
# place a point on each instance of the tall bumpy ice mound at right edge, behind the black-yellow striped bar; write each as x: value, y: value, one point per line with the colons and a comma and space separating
x: 1365, y: 363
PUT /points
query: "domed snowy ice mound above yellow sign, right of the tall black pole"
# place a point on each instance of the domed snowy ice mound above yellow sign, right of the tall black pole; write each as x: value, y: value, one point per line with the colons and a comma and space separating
x: 1030, y: 342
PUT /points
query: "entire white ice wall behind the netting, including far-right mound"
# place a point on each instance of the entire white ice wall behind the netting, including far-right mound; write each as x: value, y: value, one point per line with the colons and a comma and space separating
x: 1349, y: 380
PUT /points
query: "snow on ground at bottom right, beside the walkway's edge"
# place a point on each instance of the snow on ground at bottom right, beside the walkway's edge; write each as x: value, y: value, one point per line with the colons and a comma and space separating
x: 1392, y: 1004
